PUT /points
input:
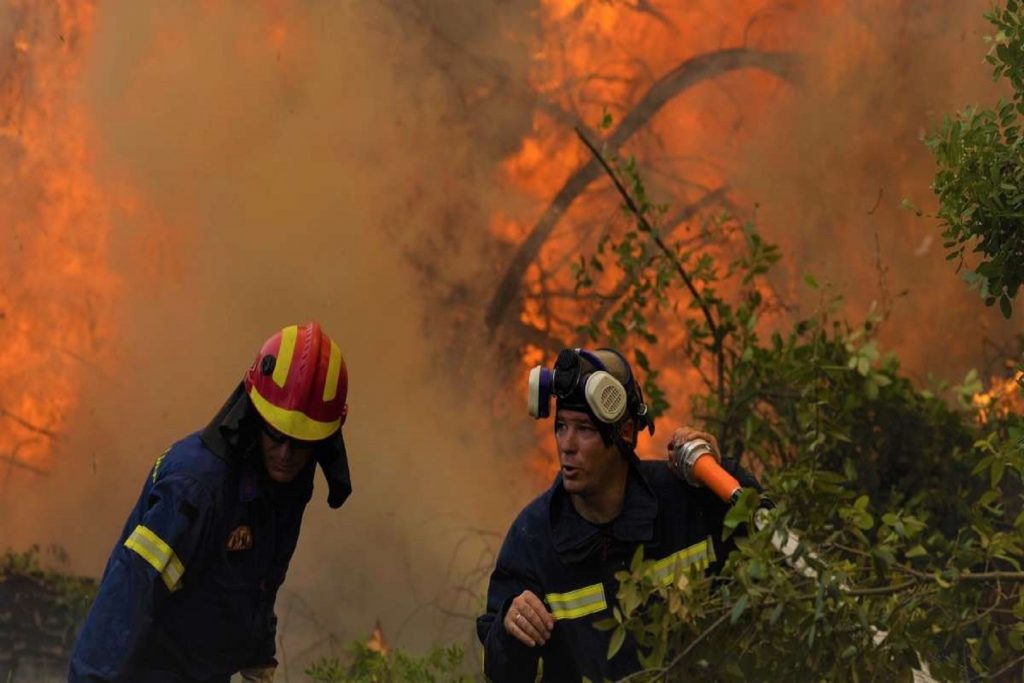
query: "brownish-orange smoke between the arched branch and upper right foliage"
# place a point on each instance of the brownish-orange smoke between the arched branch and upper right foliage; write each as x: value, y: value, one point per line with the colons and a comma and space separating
x: 833, y: 162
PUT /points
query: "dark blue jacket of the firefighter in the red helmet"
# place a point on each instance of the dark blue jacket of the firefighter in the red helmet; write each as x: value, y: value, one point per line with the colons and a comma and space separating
x: 189, y: 591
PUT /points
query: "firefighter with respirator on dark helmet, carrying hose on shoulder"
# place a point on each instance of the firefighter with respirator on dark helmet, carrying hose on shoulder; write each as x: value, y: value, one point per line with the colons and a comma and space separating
x: 554, y: 576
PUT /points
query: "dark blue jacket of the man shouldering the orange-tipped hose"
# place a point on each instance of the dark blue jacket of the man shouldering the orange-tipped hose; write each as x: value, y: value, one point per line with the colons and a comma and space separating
x: 571, y: 566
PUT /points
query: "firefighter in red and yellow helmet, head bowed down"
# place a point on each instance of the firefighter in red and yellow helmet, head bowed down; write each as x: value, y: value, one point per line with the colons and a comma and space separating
x: 190, y: 588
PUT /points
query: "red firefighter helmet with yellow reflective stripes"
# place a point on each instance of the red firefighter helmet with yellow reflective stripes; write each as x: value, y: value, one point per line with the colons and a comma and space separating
x: 300, y: 383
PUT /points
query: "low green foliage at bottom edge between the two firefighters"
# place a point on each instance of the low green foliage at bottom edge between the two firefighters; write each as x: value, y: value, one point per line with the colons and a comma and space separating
x: 365, y: 665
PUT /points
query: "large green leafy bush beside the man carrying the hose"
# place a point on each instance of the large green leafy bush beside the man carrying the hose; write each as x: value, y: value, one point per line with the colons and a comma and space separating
x: 908, y: 508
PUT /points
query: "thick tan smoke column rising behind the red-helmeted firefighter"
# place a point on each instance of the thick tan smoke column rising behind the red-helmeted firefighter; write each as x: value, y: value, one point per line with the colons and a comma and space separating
x: 273, y: 164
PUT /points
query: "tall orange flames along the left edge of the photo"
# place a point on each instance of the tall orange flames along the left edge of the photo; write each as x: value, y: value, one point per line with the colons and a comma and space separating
x: 57, y: 285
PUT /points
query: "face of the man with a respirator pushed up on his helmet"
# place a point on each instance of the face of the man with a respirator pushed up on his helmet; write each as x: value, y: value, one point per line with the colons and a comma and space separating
x: 590, y: 468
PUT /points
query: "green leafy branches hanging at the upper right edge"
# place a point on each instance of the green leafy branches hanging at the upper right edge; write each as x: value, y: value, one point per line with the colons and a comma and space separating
x: 980, y: 180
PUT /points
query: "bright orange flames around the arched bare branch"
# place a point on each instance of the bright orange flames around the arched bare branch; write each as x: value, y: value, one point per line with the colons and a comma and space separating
x: 630, y: 62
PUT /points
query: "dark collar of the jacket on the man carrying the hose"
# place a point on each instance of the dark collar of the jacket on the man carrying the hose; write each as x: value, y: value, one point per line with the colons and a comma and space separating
x: 575, y: 538
